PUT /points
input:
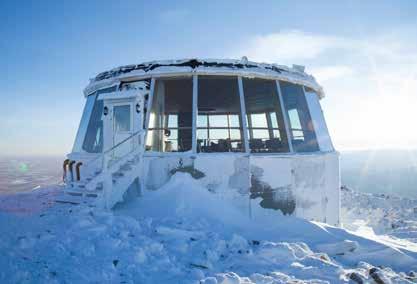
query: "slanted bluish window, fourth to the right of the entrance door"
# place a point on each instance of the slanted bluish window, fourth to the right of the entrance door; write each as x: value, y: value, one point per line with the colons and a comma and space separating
x: 303, y: 137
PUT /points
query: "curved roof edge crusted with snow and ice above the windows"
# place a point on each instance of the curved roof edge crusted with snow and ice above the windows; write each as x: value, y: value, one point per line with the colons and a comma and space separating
x: 241, y: 67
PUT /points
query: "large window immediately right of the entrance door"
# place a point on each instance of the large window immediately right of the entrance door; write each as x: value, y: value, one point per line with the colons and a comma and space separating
x: 170, y: 122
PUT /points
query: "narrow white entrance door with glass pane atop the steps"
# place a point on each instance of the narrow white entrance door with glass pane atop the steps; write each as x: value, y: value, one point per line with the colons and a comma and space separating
x: 122, y: 129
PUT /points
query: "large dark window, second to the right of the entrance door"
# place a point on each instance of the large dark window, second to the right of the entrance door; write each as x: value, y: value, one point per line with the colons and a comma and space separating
x: 219, y: 125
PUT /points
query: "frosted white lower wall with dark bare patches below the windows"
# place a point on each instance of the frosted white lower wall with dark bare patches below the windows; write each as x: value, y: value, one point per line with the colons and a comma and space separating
x: 306, y: 186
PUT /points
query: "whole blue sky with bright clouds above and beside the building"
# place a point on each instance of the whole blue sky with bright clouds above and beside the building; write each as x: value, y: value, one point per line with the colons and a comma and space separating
x: 364, y: 55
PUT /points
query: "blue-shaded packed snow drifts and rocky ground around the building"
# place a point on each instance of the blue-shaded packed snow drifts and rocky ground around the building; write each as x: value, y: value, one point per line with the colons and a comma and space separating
x: 183, y: 233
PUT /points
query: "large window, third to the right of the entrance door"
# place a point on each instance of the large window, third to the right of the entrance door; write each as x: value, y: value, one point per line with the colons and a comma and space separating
x: 264, y: 116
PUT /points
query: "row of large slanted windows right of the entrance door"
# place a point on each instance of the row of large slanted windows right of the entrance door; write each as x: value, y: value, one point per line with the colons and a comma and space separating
x: 219, y: 126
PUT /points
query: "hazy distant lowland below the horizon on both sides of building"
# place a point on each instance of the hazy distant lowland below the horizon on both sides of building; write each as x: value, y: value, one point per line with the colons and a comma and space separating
x: 380, y: 171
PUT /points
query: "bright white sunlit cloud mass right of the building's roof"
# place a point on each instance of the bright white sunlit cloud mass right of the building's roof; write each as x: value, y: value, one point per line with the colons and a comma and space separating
x: 371, y: 83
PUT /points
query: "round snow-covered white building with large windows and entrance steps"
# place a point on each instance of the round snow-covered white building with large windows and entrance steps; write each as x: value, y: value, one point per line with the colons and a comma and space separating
x: 257, y: 129
